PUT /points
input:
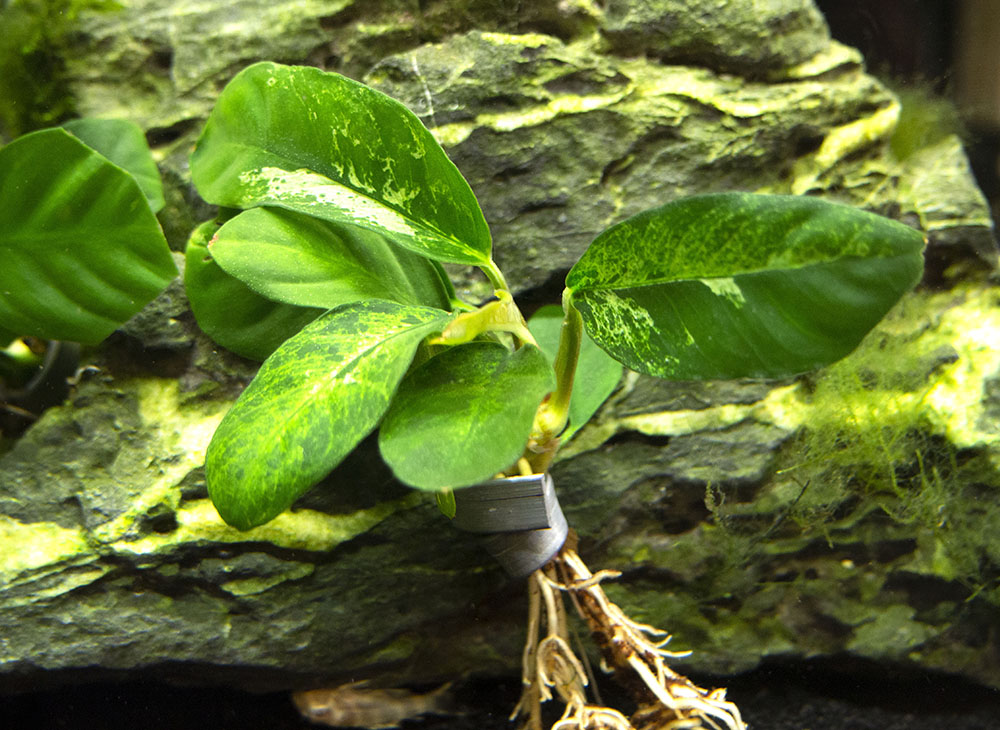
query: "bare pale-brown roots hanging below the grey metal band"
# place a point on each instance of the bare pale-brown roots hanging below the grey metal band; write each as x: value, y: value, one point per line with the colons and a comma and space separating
x: 667, y: 700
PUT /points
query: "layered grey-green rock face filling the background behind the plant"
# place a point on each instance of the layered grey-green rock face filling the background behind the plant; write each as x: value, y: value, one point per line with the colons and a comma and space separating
x: 850, y: 511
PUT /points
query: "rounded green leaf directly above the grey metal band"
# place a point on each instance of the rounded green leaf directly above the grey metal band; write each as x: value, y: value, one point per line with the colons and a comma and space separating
x: 464, y: 415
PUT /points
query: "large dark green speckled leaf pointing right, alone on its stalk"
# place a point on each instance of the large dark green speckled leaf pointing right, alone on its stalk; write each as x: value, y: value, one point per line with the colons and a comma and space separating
x: 742, y: 285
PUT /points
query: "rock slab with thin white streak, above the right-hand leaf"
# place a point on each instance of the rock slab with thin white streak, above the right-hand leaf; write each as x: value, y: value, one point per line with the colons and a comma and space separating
x: 559, y: 142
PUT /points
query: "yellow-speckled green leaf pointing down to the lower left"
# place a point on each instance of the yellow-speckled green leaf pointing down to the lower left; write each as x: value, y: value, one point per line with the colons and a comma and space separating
x: 311, y: 403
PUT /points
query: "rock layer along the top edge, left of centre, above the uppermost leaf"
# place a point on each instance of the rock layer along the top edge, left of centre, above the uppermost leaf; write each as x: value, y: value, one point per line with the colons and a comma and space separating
x: 163, y: 63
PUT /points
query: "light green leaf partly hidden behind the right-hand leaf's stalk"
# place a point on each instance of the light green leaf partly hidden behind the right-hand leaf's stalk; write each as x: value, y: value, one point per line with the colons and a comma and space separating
x: 597, y: 373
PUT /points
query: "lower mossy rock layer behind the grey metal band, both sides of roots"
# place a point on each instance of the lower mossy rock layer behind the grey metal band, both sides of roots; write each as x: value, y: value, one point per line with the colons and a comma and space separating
x: 848, y: 512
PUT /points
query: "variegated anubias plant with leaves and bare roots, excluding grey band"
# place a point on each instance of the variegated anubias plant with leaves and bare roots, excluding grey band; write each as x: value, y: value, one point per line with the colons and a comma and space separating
x: 339, y: 209
